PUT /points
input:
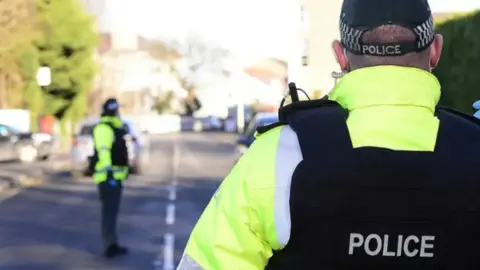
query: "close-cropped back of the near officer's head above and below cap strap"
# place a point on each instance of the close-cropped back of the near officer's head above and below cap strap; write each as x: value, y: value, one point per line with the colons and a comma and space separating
x: 390, y: 34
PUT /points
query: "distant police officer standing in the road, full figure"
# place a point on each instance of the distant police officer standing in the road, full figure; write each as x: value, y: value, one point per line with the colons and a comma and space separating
x: 110, y: 166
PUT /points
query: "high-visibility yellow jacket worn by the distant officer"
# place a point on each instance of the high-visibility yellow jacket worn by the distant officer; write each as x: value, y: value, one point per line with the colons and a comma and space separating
x: 103, y: 138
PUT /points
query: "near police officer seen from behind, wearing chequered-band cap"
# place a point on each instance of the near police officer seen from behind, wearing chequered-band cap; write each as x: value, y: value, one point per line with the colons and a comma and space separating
x: 376, y: 176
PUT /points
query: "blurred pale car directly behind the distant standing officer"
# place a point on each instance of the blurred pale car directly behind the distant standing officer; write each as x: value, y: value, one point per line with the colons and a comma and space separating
x: 138, y: 147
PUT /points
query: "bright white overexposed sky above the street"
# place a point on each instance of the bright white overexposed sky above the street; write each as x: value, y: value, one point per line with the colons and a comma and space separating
x: 251, y: 29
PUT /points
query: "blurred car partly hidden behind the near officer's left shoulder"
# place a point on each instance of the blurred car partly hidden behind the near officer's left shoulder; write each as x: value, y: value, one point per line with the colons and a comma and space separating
x: 246, y: 139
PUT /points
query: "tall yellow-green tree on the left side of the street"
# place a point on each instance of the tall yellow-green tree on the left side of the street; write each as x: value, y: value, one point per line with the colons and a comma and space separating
x: 67, y: 45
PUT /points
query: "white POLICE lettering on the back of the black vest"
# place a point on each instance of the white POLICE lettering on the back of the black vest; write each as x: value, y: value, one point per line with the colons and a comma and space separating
x: 392, y: 246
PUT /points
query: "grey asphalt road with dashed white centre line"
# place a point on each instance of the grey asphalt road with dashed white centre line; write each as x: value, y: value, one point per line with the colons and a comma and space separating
x: 55, y: 226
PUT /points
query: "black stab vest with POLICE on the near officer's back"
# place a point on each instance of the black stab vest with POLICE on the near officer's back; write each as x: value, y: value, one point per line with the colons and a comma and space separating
x: 374, y: 208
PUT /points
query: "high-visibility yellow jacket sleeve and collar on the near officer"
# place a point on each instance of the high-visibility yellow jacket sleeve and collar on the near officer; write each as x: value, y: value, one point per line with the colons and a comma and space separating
x: 248, y: 217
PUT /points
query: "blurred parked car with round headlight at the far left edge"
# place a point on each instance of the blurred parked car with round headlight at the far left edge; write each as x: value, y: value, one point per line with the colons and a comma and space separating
x: 24, y: 146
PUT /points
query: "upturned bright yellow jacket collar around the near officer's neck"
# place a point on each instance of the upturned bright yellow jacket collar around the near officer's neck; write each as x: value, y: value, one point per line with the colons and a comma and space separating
x: 387, y: 85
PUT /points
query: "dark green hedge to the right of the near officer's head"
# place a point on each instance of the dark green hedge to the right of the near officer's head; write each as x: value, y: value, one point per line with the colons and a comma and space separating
x: 459, y: 67
